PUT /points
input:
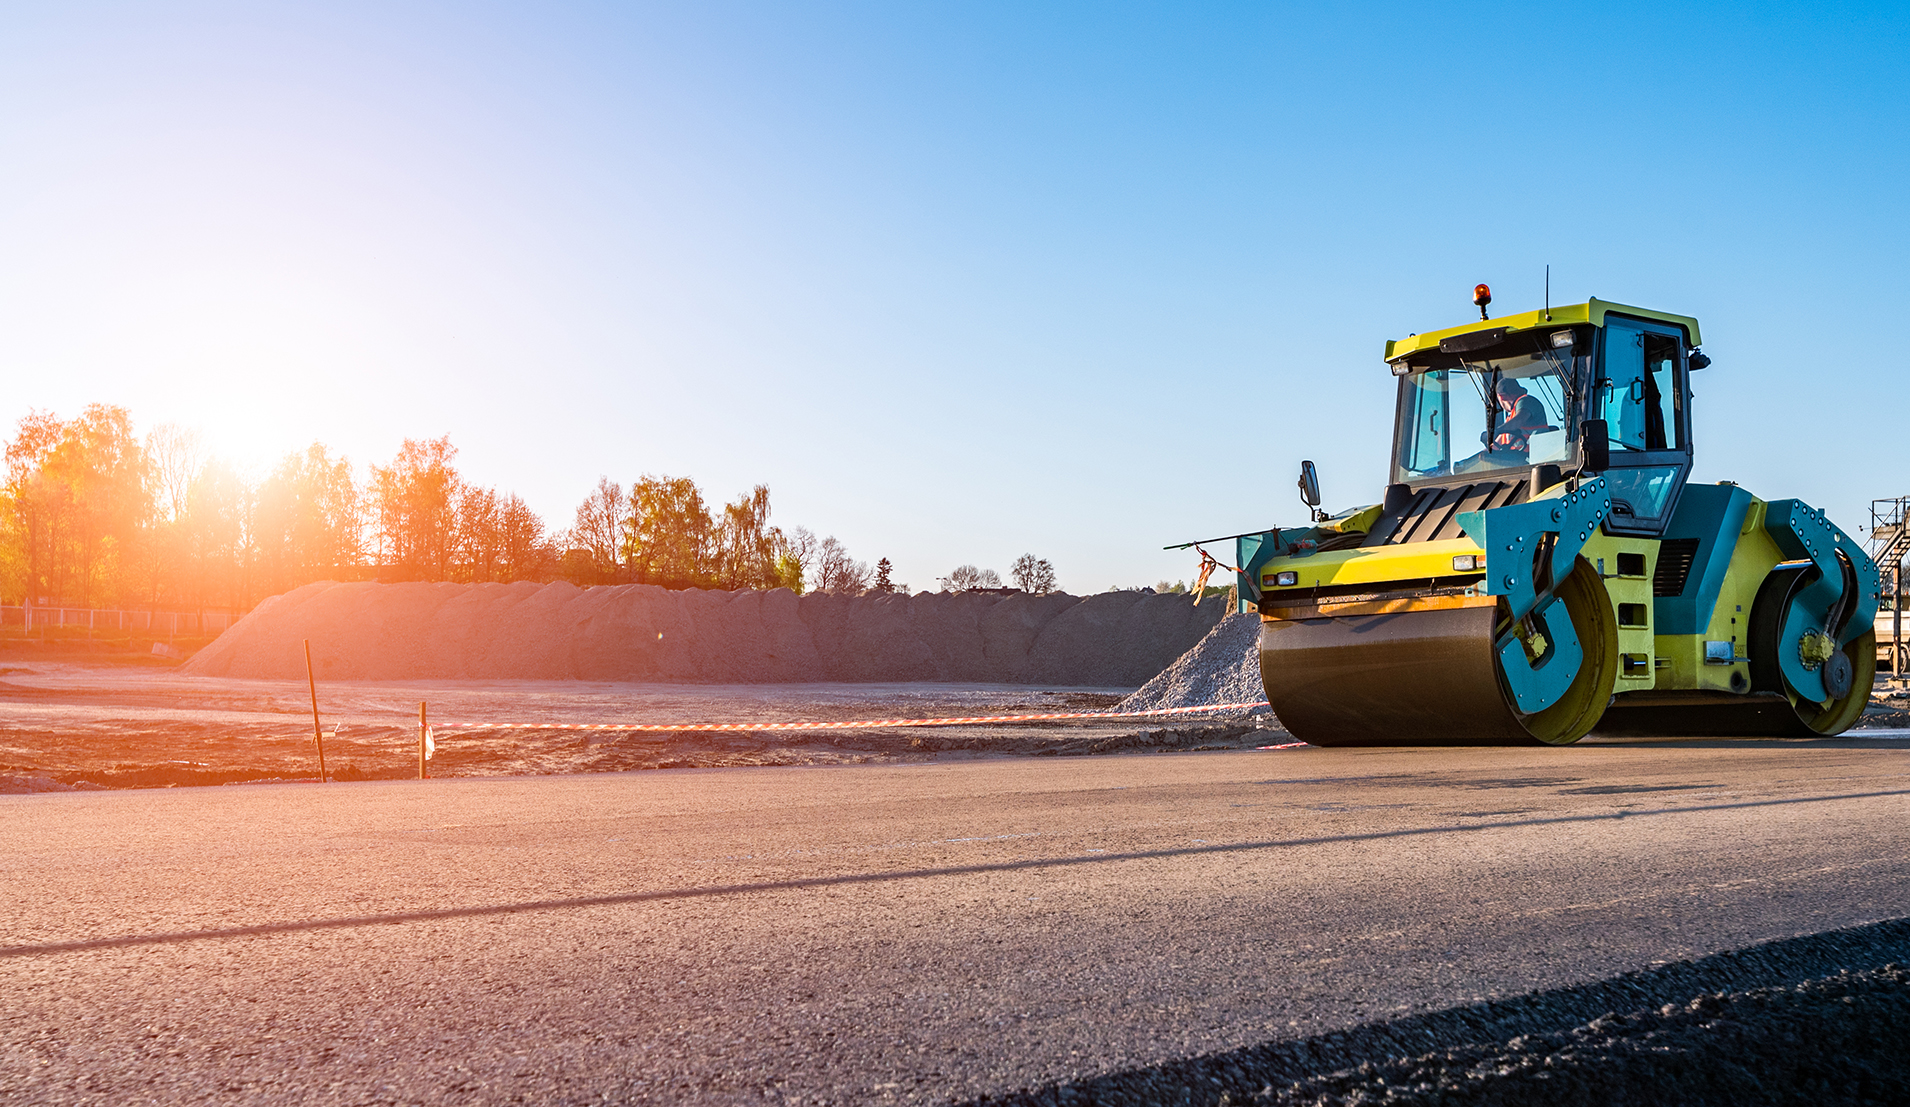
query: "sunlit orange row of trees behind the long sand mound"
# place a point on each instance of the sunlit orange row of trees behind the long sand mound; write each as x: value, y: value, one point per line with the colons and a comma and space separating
x: 96, y: 516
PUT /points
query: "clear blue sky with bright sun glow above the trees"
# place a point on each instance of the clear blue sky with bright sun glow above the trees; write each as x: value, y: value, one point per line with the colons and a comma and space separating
x: 958, y: 282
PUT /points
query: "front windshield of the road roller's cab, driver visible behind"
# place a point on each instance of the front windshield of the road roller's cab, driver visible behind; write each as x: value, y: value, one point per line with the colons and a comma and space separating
x: 1485, y: 415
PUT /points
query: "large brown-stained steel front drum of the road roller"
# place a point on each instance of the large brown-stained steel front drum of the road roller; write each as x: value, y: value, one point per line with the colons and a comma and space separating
x: 1424, y: 679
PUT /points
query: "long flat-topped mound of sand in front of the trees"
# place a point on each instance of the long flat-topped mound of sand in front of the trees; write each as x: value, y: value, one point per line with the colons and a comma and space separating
x: 641, y: 633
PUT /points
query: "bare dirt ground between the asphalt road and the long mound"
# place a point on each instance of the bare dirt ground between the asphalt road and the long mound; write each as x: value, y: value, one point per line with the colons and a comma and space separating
x: 81, y: 724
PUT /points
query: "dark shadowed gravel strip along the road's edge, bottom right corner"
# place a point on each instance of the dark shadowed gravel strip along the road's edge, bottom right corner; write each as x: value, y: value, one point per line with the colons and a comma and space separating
x: 1808, y: 1020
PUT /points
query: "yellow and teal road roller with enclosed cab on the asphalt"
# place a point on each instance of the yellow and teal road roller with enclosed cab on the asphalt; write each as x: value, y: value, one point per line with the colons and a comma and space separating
x: 1540, y: 568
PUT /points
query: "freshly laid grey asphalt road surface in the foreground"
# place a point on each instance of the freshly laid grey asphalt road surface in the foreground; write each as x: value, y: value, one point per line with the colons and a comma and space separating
x: 885, y: 932
